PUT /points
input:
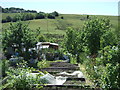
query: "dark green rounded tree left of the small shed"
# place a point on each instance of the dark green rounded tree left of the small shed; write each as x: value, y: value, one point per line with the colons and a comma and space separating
x: 18, y: 34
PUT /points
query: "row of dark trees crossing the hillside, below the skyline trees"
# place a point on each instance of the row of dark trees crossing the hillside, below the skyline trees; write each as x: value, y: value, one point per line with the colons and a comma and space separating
x: 30, y: 16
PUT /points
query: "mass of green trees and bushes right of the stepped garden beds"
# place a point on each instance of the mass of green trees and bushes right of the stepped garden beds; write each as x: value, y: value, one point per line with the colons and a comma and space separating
x: 99, y: 42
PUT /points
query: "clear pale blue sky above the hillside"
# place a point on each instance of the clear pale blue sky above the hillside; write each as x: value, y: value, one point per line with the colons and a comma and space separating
x: 93, y: 7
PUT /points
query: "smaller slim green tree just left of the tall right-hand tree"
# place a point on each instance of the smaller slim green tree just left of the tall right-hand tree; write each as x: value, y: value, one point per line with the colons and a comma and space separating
x: 74, y: 42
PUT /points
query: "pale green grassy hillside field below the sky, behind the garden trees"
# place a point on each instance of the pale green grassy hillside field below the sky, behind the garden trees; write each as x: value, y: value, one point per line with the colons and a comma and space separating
x: 50, y: 25
